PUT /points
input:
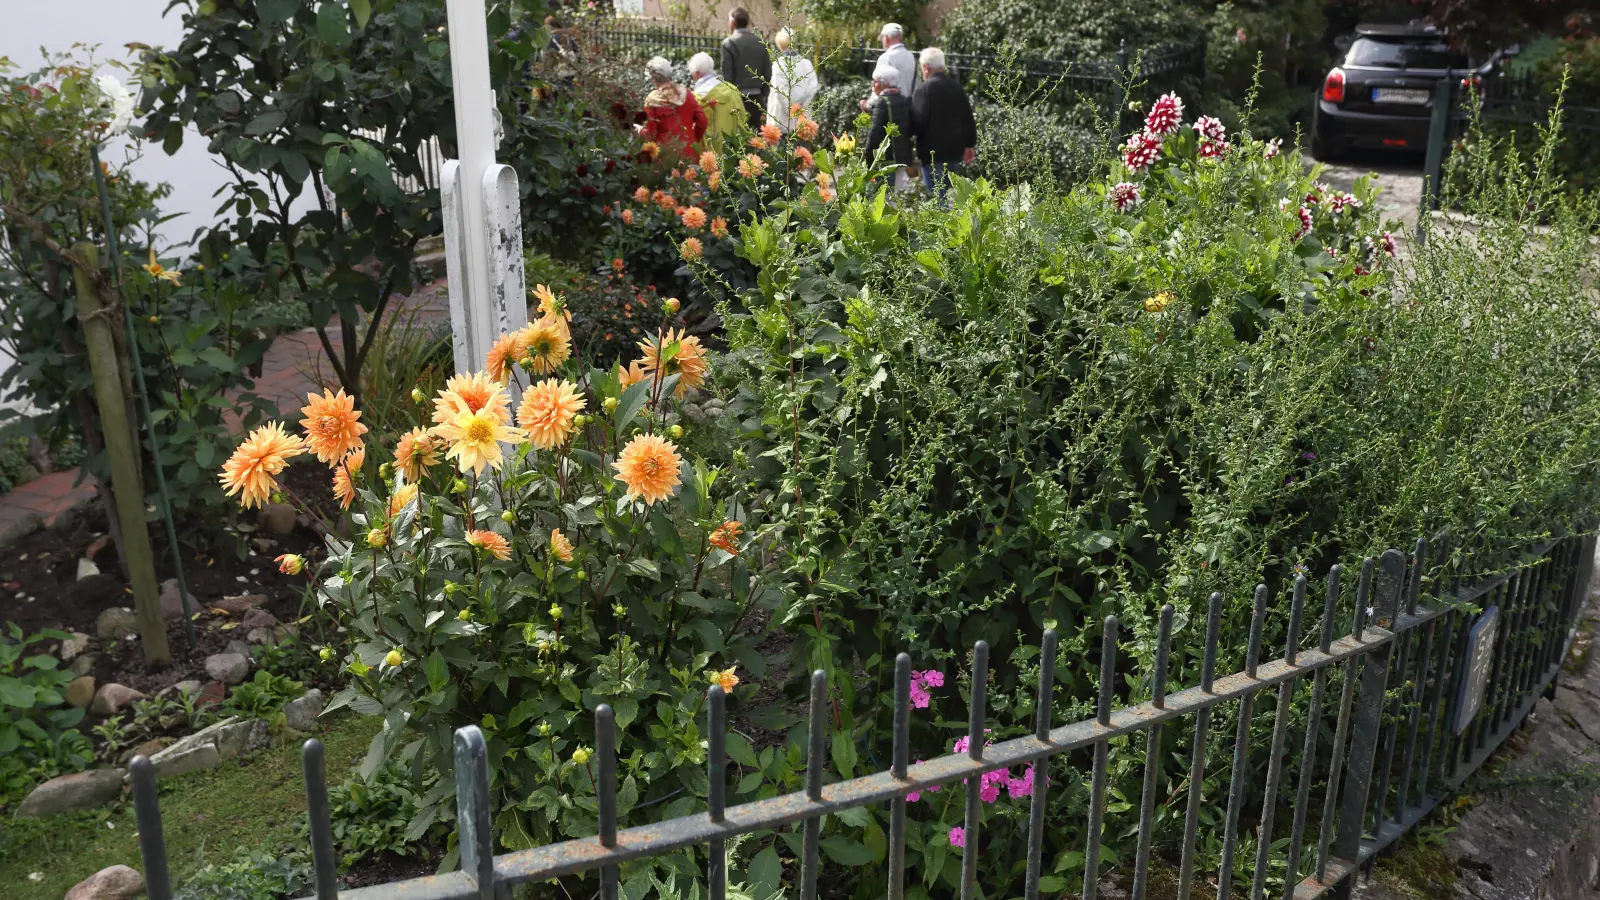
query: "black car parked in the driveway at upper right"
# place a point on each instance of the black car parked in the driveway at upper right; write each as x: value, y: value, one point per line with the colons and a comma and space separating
x: 1382, y: 95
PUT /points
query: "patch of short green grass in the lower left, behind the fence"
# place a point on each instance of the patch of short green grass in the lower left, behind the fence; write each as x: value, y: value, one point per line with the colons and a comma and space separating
x: 246, y: 803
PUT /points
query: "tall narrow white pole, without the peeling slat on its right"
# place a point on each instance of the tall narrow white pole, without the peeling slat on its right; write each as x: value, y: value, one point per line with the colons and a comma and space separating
x: 470, y: 66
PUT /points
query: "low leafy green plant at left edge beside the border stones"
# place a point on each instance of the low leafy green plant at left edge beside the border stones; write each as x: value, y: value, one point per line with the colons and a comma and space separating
x: 38, y: 736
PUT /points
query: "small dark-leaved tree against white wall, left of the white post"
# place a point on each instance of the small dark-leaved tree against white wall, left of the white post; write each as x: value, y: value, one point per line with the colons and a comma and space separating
x: 334, y: 98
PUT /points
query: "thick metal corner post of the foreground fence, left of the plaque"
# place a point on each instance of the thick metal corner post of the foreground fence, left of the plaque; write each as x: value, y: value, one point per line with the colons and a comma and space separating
x: 1367, y: 721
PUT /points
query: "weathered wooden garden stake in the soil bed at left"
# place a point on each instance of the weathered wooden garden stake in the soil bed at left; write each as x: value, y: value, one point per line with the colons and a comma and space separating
x: 127, y: 484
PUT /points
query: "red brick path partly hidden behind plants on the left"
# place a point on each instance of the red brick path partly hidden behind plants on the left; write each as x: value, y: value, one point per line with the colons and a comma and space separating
x: 289, y: 372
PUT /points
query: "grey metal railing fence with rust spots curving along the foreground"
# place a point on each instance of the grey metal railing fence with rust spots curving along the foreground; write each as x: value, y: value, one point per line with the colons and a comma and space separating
x: 1433, y: 677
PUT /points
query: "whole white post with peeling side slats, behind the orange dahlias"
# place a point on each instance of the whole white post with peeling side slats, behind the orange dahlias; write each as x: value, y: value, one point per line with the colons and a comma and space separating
x: 479, y: 201
